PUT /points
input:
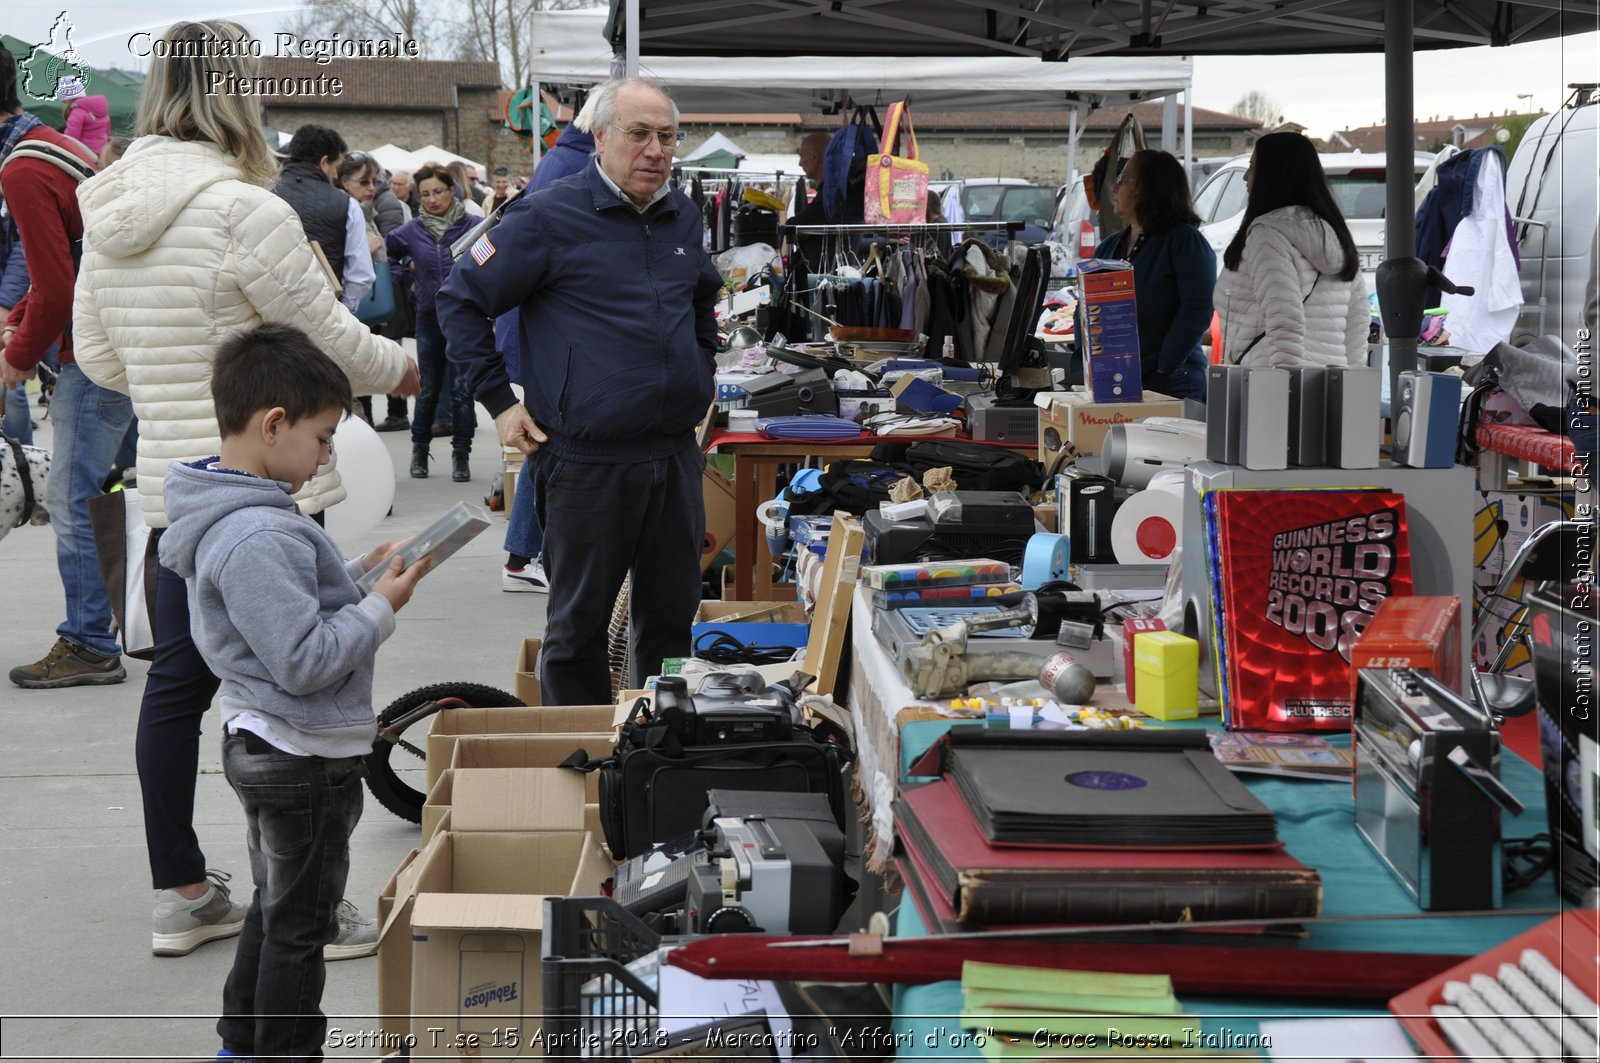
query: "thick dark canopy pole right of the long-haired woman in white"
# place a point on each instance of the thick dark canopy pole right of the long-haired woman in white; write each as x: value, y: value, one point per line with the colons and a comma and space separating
x: 1401, y: 183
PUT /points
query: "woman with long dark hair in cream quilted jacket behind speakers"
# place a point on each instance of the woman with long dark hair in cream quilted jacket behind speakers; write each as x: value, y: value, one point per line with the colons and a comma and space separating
x: 1290, y: 291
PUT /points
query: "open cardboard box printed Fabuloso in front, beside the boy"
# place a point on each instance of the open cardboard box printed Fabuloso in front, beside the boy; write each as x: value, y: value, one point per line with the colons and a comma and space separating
x: 423, y: 963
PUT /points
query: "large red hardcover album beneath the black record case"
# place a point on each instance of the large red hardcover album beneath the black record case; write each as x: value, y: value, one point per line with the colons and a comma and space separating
x: 982, y: 883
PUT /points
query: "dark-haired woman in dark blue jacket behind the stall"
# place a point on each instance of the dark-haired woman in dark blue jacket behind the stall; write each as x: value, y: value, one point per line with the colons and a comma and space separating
x: 1174, y: 271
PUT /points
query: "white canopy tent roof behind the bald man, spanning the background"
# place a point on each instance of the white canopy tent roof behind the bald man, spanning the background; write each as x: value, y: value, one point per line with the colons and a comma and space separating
x: 570, y: 50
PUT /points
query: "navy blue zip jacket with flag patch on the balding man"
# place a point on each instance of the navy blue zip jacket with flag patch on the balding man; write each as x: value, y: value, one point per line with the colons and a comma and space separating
x: 618, y: 319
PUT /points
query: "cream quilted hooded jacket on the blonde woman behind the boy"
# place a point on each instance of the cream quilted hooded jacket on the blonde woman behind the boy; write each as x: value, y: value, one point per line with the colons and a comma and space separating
x: 178, y: 255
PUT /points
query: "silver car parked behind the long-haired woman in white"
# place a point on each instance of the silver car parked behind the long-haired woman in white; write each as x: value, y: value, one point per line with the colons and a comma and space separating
x: 1356, y: 180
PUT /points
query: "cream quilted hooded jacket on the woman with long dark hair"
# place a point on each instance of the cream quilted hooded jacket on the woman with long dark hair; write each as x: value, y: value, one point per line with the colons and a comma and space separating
x: 1266, y: 297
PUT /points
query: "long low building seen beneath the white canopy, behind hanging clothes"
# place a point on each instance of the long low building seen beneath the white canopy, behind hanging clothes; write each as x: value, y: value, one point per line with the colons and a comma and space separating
x: 1028, y: 145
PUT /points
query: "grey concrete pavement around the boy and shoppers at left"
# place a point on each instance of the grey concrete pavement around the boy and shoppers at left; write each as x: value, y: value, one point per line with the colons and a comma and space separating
x: 78, y: 977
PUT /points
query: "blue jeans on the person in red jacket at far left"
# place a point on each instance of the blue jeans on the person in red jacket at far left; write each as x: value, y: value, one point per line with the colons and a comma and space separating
x: 90, y: 427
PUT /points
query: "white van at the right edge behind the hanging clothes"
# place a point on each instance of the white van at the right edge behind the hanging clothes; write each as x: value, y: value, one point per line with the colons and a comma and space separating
x: 1553, y: 190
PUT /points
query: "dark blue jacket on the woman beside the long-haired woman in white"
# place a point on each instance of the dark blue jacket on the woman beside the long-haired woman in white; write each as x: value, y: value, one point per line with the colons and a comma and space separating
x: 1174, y: 276
